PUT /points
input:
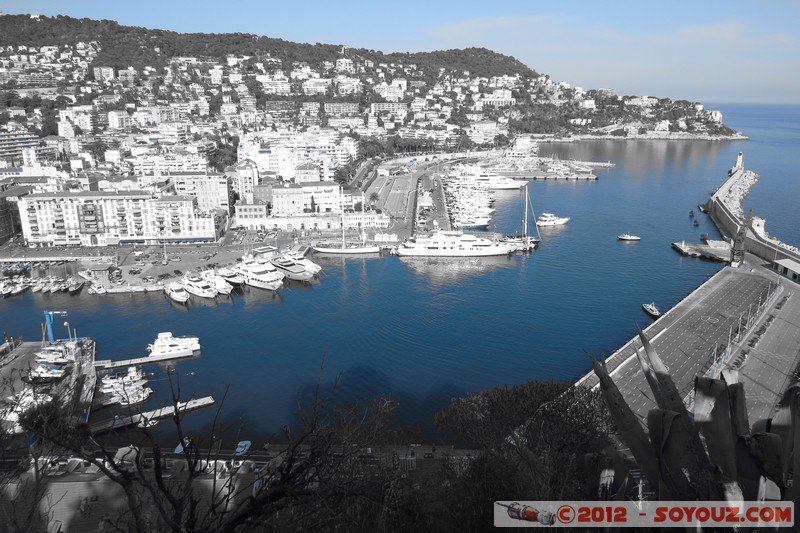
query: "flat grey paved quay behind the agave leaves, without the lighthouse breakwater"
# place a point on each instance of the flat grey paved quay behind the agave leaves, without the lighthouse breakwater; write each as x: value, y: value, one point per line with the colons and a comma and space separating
x: 710, y: 329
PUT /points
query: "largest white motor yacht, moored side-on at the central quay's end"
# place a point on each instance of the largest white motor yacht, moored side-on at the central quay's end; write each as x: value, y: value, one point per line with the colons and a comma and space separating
x: 452, y: 244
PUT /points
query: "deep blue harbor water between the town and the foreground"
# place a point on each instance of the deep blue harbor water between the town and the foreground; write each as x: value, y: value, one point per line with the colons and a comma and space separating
x: 423, y: 331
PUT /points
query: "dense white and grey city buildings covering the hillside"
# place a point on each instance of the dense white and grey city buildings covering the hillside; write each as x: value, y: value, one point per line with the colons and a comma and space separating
x: 258, y: 138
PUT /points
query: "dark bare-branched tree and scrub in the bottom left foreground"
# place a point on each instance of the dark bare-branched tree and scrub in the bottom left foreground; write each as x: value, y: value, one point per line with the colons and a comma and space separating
x: 318, y: 480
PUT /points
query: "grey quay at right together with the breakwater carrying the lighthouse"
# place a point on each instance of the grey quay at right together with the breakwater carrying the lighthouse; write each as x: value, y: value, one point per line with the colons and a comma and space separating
x: 743, y: 321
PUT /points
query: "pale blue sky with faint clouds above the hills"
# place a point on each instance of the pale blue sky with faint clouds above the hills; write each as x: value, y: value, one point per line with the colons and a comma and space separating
x: 702, y: 50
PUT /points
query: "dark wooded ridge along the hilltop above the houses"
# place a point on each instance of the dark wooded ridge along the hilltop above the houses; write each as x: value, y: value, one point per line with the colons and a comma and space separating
x: 123, y: 46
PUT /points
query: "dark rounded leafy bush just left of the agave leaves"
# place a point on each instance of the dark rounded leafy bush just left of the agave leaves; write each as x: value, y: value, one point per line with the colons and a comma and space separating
x: 531, y: 440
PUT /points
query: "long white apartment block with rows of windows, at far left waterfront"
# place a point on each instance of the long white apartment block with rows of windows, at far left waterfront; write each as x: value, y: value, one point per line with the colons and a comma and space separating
x: 106, y: 218
